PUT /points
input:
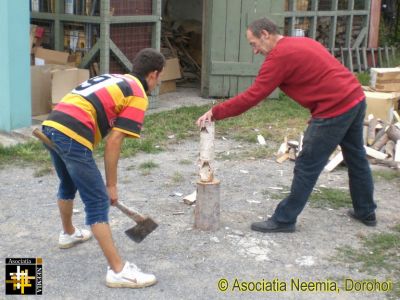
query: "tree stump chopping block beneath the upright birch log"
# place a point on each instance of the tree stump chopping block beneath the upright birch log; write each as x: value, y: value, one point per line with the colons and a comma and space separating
x: 207, y: 210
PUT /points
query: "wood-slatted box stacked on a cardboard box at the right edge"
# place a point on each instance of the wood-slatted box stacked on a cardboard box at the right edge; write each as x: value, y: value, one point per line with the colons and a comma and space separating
x: 385, y: 79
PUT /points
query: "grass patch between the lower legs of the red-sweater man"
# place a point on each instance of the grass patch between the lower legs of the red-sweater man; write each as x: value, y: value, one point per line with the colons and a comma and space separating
x: 330, y: 198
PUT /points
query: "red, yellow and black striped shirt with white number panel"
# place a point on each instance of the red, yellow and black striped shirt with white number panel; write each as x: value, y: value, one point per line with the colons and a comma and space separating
x: 102, y: 103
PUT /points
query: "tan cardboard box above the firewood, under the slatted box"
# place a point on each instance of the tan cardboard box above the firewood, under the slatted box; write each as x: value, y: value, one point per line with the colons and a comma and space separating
x: 382, y: 105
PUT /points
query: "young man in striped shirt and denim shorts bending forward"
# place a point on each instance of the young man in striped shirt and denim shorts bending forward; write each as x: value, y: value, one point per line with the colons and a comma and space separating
x: 107, y: 105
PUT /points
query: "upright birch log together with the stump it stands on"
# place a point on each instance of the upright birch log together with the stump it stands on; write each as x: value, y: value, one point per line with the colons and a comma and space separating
x: 207, y: 210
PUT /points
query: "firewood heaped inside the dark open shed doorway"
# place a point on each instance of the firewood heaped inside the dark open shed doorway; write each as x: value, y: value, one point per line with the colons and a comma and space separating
x: 182, y: 40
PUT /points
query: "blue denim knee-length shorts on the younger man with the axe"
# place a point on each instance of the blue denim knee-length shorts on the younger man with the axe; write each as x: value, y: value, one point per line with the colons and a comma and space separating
x: 77, y: 170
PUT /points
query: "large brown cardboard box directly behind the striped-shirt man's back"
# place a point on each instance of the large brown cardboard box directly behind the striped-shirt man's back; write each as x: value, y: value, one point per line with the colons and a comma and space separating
x: 49, y: 82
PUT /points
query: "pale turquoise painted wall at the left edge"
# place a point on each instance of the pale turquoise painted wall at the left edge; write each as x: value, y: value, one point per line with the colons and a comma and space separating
x: 15, y: 82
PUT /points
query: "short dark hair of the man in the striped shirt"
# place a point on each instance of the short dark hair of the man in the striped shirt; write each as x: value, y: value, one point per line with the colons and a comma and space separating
x: 147, y: 60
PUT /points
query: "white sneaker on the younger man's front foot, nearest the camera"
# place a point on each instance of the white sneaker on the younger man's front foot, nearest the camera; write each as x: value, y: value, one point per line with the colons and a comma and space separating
x: 130, y: 276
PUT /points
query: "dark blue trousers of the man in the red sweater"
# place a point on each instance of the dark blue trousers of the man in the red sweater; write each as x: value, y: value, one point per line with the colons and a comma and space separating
x: 320, y: 140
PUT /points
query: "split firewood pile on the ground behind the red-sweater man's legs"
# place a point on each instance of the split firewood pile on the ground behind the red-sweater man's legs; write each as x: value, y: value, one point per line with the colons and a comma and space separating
x: 381, y: 142
